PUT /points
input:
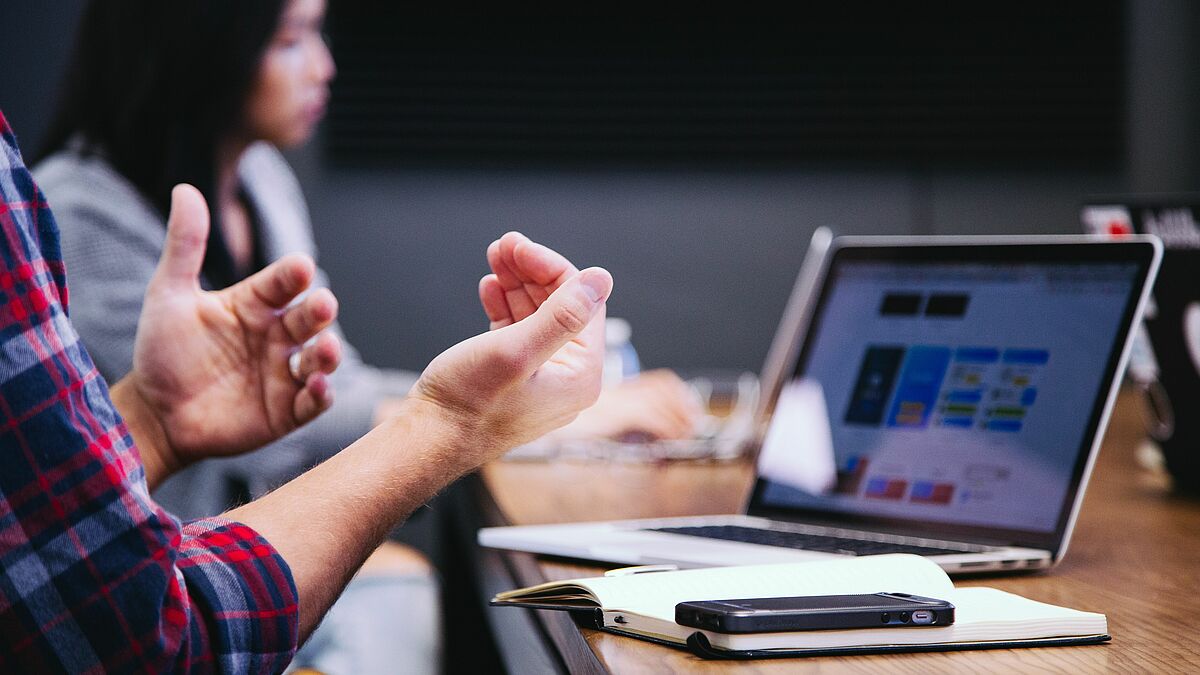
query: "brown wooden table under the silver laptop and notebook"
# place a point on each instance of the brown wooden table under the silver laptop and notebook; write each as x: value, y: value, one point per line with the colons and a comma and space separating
x: 1135, y: 557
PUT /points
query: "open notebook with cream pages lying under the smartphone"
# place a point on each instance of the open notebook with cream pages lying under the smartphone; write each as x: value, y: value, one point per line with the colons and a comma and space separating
x: 643, y: 606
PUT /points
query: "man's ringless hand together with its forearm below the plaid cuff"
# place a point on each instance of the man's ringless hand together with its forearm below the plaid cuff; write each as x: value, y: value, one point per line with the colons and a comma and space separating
x: 536, y: 371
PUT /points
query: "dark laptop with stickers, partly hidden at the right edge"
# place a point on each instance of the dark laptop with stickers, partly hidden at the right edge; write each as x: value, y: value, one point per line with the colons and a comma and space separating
x: 1166, y: 359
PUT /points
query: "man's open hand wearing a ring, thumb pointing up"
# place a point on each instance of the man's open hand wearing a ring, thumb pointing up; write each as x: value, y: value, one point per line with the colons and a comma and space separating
x: 212, y: 369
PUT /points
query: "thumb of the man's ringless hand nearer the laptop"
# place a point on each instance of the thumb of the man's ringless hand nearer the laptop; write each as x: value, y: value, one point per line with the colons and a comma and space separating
x: 565, y: 316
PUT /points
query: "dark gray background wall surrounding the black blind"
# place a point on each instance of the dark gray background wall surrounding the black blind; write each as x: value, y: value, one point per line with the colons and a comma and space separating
x: 704, y: 253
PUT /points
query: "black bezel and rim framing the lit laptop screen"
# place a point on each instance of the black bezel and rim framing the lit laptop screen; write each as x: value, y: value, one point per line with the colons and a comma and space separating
x: 1143, y: 252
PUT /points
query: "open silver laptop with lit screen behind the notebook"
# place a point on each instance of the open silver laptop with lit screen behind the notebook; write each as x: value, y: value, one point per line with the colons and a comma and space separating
x: 943, y: 397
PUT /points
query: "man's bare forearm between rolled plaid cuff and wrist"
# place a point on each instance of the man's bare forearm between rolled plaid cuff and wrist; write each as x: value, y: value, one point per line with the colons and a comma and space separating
x: 328, y: 522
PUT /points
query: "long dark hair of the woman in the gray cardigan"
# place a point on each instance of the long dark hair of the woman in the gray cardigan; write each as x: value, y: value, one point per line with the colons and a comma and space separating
x: 157, y: 86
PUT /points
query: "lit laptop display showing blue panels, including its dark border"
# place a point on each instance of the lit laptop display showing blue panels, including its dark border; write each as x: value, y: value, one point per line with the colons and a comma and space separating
x: 952, y: 390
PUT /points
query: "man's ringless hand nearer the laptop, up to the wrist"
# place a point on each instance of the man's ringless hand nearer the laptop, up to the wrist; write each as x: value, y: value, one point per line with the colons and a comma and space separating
x: 538, y: 367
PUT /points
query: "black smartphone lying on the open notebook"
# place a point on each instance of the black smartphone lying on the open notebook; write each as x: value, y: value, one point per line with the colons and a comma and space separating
x: 815, y: 613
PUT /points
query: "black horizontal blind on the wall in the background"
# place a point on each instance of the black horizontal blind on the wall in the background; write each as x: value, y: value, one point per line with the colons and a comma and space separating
x: 927, y: 83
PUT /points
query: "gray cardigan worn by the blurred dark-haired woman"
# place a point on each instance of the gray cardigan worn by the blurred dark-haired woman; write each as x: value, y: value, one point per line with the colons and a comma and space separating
x: 112, y: 238
